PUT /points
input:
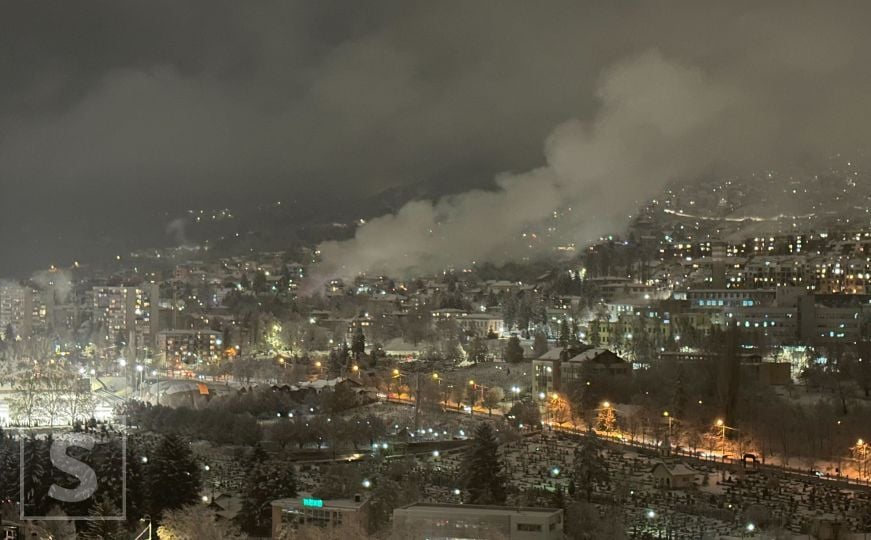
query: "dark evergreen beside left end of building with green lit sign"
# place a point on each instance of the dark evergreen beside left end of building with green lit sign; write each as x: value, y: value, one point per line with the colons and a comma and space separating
x: 266, y: 482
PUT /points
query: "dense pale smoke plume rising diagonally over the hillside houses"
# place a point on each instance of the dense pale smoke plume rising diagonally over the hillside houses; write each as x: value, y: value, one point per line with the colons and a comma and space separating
x: 656, y: 122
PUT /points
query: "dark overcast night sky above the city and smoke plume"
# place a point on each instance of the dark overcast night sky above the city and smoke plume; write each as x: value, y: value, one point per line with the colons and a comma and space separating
x: 110, y: 110
